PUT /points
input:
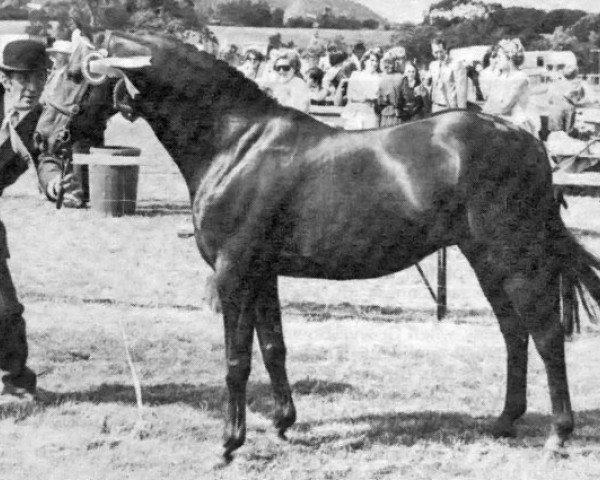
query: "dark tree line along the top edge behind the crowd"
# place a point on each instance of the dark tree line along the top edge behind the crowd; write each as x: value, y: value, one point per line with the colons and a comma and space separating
x: 460, y: 22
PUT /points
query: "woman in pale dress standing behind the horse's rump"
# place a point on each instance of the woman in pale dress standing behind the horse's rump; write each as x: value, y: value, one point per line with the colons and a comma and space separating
x: 508, y: 95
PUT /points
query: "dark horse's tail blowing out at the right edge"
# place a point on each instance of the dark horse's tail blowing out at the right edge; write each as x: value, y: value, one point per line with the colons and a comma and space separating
x: 579, y: 282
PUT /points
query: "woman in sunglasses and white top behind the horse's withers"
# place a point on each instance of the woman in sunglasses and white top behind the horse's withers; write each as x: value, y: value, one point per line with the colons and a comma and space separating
x: 288, y: 87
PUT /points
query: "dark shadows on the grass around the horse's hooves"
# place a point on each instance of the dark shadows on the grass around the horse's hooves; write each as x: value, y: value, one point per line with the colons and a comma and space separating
x: 389, y: 428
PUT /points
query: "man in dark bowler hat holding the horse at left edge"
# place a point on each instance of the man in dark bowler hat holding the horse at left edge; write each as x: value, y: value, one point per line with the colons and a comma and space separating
x: 23, y: 69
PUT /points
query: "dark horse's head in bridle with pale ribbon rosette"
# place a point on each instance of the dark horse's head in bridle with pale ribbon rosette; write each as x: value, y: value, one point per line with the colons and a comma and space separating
x: 80, y: 98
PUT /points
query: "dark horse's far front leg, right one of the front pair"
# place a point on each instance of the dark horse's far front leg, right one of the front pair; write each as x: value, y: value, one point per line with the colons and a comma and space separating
x: 270, y: 338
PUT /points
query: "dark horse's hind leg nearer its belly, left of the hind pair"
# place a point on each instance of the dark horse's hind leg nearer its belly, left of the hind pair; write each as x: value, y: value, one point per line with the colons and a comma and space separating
x: 516, y: 339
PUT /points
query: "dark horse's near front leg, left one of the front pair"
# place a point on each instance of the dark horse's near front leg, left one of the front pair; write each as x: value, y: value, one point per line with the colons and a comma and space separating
x: 238, y: 306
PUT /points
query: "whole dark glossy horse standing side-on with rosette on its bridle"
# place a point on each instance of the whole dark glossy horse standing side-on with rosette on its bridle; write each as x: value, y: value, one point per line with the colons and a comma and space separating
x: 275, y: 192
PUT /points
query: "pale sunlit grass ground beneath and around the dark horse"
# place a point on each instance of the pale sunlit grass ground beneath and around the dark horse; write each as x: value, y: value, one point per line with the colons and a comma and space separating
x: 383, y: 390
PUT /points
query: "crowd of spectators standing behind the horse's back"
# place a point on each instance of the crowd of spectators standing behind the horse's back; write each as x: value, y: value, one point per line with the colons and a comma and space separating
x: 378, y: 88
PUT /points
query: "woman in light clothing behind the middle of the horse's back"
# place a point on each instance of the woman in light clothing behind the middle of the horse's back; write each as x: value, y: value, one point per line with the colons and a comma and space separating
x: 363, y: 94
